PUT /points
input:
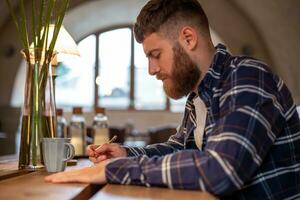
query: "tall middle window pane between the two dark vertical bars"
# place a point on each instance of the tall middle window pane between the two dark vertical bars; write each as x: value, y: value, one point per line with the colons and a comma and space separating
x: 114, y: 68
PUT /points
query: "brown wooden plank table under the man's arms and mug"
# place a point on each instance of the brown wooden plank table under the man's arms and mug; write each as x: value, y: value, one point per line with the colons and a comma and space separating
x: 21, y: 184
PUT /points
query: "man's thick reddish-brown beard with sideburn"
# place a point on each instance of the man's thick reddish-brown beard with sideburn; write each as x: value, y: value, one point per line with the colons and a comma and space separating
x: 184, y: 74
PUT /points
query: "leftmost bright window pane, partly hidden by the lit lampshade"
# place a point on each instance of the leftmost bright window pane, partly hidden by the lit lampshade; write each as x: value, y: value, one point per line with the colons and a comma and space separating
x: 74, y: 83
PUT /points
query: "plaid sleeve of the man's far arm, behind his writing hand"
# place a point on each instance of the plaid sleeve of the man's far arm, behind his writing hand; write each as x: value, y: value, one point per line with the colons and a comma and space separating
x: 174, y: 144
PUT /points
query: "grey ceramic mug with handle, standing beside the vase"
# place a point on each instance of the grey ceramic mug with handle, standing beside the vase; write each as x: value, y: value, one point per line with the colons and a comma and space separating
x: 56, y: 153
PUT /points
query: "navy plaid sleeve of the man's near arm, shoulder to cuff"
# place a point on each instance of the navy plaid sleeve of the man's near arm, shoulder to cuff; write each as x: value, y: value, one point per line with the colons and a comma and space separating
x: 251, y: 116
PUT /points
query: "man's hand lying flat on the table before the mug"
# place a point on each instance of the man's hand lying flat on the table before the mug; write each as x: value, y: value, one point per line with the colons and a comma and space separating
x: 94, y: 174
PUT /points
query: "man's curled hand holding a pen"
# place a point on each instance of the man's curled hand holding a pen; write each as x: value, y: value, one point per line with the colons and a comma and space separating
x: 98, y: 153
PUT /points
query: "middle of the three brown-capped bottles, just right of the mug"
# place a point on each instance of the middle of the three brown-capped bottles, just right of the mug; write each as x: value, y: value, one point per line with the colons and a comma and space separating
x: 77, y: 131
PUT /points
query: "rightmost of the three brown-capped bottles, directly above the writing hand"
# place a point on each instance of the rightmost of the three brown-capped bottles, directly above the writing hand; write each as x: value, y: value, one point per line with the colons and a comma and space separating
x: 100, y: 126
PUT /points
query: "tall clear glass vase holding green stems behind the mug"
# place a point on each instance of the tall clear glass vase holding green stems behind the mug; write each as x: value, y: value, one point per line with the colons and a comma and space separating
x: 38, y: 113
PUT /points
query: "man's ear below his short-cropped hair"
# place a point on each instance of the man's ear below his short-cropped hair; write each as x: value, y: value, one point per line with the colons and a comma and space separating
x: 188, y: 37
